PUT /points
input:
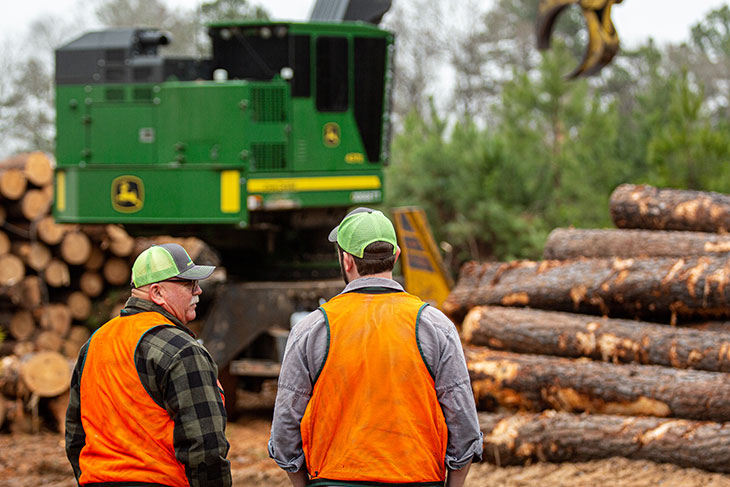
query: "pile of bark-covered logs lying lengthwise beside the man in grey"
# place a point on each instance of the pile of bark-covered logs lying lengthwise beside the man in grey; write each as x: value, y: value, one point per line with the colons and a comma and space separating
x: 602, y: 349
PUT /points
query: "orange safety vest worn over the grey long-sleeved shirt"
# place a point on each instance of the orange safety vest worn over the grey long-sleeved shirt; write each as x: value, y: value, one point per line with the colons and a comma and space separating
x: 374, y: 414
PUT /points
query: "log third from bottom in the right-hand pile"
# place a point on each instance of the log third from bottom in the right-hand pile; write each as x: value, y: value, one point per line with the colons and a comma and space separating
x: 619, y: 341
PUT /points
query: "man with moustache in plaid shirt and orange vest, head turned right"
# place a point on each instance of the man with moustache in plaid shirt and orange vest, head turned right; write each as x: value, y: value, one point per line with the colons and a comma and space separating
x: 146, y: 407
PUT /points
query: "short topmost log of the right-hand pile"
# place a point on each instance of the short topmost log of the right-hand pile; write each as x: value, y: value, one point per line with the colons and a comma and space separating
x: 653, y: 208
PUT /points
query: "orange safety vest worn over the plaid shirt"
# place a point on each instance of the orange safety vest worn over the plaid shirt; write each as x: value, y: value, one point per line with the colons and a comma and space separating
x: 128, y: 435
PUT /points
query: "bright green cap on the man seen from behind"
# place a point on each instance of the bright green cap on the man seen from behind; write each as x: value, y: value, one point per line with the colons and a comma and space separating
x: 360, y: 228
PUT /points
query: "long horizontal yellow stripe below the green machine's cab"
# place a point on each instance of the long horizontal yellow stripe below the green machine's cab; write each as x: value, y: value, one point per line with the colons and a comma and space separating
x: 334, y: 183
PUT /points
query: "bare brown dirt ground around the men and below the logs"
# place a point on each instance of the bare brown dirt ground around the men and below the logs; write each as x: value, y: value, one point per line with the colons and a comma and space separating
x: 39, y: 460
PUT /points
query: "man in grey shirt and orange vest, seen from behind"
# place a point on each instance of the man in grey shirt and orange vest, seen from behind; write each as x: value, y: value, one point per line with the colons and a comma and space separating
x: 374, y: 389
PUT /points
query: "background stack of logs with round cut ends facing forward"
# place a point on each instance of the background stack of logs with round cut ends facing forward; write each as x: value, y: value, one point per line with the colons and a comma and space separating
x: 57, y: 284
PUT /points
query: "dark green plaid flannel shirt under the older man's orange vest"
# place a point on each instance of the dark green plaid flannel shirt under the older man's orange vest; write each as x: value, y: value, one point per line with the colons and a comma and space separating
x: 180, y: 377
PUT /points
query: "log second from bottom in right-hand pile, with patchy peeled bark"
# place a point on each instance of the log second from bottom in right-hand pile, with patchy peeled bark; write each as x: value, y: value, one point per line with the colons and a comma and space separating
x: 537, y: 382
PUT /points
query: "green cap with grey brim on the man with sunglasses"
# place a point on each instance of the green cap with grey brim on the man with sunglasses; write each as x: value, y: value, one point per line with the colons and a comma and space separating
x: 161, y: 262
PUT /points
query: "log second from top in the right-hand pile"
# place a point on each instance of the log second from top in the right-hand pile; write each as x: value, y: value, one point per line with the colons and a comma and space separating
x: 571, y: 243
